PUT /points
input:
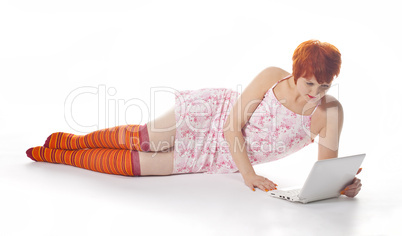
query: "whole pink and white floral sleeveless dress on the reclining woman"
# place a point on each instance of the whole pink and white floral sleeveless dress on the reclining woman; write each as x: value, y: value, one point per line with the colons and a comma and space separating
x: 272, y: 132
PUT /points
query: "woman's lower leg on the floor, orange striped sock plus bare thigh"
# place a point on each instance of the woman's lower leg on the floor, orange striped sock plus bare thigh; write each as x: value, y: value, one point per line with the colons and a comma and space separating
x: 109, y: 161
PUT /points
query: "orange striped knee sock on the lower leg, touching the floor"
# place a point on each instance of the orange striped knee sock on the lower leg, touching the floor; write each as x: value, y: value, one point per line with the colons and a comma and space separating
x: 110, y: 161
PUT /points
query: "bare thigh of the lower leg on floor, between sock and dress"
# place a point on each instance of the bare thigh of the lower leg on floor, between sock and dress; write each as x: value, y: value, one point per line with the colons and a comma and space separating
x: 156, y: 163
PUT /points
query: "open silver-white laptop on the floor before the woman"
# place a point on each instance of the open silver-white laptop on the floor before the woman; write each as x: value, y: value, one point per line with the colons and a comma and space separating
x: 326, y: 180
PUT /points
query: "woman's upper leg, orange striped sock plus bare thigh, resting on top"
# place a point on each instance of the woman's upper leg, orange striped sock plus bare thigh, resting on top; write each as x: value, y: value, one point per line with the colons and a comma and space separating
x: 156, y: 135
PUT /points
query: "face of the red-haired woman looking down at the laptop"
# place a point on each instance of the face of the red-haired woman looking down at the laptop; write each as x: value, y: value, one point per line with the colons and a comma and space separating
x: 311, y: 90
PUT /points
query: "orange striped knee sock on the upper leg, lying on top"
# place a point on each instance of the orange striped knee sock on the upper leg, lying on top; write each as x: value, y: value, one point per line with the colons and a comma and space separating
x: 132, y: 137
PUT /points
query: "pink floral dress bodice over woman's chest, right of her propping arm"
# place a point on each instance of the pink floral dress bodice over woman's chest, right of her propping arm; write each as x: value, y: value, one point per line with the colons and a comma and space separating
x: 274, y: 131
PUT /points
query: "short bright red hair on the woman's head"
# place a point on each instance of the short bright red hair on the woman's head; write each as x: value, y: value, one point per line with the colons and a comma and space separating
x: 319, y: 59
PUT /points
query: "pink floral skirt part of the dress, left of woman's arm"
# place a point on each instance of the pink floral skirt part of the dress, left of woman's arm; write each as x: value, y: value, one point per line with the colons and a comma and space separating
x: 200, y: 116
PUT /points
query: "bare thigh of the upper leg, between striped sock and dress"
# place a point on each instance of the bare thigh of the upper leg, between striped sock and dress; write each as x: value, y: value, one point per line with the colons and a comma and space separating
x: 162, y: 131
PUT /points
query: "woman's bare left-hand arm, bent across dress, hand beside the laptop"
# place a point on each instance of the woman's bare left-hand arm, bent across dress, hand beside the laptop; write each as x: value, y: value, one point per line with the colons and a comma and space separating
x: 239, y: 116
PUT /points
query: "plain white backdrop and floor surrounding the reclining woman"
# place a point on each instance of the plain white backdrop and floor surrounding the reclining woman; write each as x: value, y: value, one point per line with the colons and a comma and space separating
x: 50, y: 49
